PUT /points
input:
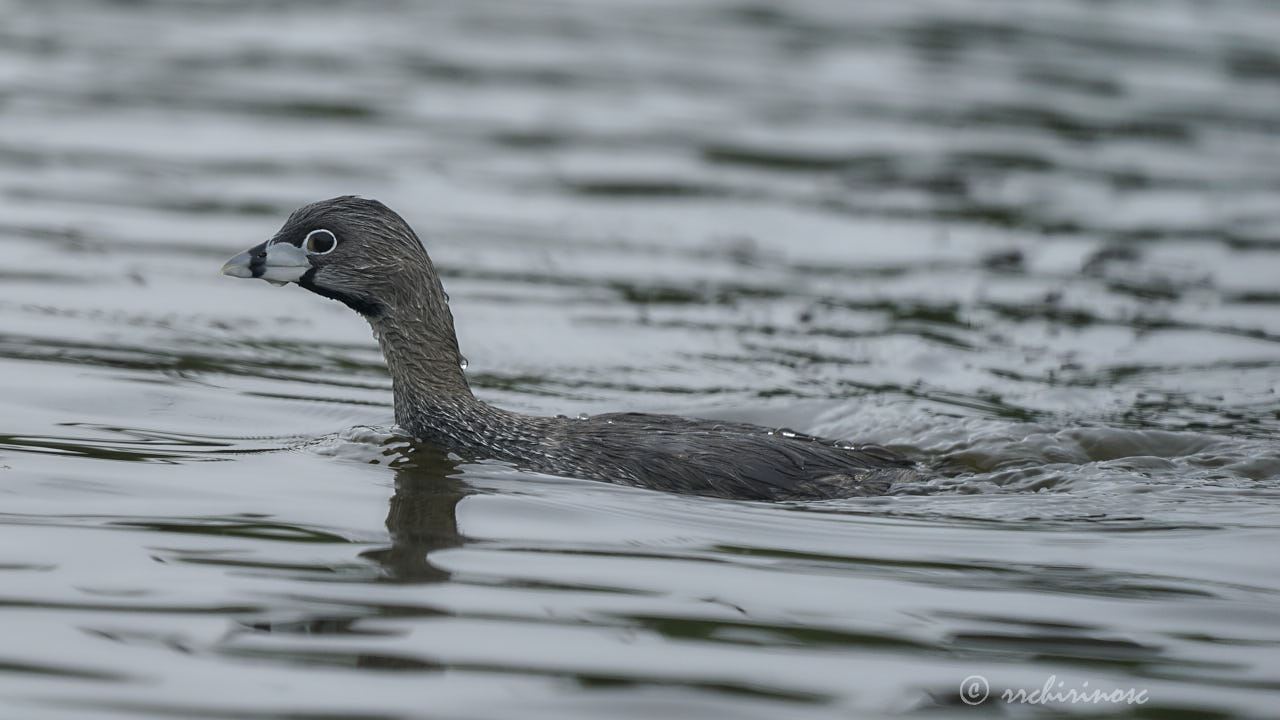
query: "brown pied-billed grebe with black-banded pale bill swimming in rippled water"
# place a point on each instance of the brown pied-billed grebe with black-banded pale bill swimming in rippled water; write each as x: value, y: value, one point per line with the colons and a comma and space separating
x: 362, y: 253
